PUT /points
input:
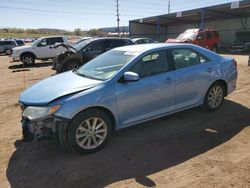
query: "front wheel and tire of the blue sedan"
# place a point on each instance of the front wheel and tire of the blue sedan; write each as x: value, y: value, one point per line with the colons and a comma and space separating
x: 89, y: 131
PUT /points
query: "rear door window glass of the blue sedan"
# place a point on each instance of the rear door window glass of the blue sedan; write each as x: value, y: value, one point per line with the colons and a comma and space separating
x: 186, y: 58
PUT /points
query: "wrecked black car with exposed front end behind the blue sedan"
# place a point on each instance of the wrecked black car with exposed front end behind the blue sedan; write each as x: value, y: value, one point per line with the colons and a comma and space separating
x: 84, y: 51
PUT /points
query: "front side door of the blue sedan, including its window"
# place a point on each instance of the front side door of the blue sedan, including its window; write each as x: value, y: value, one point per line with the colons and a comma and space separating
x: 152, y: 95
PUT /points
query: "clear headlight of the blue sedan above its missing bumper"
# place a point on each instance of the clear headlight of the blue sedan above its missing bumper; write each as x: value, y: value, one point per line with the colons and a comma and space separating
x: 33, y: 112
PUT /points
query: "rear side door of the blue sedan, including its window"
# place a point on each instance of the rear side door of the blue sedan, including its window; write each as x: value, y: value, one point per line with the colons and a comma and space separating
x: 194, y: 73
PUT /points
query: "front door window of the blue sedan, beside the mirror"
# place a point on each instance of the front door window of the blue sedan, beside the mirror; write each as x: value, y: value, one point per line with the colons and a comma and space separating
x: 151, y: 64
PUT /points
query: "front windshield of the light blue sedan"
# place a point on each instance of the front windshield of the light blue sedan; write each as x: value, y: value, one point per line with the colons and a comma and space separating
x: 106, y: 65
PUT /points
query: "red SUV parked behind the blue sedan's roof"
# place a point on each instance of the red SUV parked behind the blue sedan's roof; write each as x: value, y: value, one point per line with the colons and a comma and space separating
x: 207, y: 38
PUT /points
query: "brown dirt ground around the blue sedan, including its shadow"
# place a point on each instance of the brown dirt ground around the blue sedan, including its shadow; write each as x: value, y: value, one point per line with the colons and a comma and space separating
x: 188, y: 149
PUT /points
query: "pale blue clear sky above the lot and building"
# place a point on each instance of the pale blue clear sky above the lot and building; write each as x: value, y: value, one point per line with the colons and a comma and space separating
x: 87, y: 14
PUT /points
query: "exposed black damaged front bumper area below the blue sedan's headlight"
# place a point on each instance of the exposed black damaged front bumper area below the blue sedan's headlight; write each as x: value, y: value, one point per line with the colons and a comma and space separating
x: 52, y: 126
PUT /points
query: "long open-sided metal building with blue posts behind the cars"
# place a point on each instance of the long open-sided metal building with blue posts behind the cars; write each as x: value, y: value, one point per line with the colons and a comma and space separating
x: 226, y: 18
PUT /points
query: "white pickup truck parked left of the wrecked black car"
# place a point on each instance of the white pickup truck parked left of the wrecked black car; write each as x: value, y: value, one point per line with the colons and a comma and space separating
x: 40, y: 49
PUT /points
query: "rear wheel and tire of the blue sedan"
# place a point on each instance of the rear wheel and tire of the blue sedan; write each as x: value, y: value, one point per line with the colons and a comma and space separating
x: 214, y: 97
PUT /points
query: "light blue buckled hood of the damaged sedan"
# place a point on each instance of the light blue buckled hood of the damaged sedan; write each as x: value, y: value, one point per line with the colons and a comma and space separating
x: 54, y: 87
